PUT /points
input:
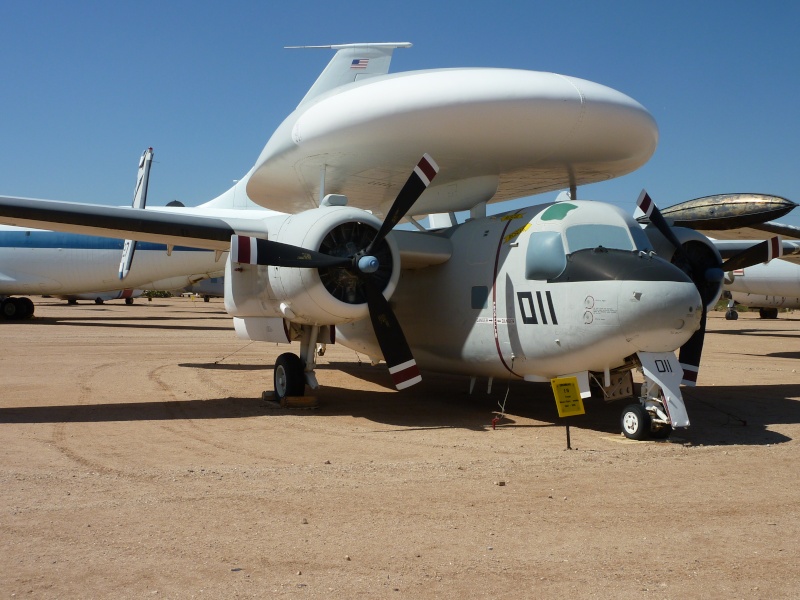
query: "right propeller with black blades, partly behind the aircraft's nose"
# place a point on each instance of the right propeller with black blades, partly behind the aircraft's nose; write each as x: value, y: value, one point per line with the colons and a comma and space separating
x: 706, y: 271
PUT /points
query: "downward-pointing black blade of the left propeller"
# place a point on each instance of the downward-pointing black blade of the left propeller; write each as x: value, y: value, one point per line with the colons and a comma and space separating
x: 402, y: 366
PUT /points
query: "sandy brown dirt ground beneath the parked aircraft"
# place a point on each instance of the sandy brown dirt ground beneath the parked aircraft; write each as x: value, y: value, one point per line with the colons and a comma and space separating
x: 139, y: 460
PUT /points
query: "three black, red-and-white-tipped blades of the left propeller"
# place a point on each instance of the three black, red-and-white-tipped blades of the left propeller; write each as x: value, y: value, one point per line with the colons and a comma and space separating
x: 362, y: 264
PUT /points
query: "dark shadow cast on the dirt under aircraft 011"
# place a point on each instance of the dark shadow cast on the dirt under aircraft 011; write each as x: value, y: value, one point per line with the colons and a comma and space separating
x: 720, y: 415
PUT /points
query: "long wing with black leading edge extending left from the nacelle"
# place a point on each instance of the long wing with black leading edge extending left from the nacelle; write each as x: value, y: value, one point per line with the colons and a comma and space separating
x: 171, y: 228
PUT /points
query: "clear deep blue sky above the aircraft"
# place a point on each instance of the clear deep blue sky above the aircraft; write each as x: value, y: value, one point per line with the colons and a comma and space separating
x: 86, y: 86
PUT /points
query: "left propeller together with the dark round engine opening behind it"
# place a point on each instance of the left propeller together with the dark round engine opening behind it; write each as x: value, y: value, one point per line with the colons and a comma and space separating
x: 355, y: 269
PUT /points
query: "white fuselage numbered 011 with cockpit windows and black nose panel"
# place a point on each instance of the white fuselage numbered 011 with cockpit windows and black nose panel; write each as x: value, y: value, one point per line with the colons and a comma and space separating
x: 492, y: 310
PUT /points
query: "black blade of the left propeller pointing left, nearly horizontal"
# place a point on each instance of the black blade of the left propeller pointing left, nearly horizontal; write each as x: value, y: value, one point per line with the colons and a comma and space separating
x: 256, y: 251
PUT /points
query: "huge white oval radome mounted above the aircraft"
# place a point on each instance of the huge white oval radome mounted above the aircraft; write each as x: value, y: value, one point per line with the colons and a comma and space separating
x: 497, y: 134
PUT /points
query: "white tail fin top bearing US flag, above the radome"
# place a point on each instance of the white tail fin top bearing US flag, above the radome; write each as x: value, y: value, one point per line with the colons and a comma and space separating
x: 352, y: 62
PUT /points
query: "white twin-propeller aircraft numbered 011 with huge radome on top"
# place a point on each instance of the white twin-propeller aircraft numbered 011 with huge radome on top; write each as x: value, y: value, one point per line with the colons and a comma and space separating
x: 570, y: 288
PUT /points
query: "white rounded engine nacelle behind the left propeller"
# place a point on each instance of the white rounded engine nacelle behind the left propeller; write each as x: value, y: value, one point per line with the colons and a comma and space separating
x: 313, y: 296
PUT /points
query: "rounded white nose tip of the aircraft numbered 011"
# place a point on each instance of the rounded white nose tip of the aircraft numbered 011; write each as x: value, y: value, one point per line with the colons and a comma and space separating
x: 659, y: 315
